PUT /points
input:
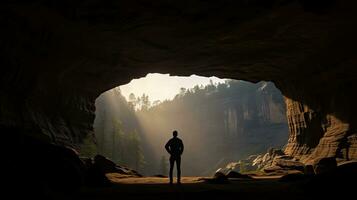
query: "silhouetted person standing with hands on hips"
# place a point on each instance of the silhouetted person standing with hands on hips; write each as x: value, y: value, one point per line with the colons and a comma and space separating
x: 175, y: 148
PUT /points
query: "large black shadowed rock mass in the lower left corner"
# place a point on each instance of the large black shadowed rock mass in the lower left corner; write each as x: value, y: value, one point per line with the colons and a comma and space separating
x: 43, y: 169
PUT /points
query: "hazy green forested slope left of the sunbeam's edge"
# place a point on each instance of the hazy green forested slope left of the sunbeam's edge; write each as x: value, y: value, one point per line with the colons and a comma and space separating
x: 116, y: 131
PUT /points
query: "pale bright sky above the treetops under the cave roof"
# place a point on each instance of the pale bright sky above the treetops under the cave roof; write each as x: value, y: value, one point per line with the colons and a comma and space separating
x: 163, y: 86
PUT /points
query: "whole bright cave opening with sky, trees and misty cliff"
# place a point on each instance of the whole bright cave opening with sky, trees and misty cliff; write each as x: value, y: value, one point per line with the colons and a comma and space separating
x: 219, y: 120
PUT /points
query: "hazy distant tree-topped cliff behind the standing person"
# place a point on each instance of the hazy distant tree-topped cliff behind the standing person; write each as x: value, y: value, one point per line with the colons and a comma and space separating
x: 219, y: 123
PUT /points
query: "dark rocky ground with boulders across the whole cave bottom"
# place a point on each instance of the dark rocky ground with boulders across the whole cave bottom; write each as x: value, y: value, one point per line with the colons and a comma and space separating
x: 100, y: 178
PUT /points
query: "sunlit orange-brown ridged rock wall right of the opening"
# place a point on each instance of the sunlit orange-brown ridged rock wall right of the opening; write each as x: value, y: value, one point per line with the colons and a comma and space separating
x: 332, y: 137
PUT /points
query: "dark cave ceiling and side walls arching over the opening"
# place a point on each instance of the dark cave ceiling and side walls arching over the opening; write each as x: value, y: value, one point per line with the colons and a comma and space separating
x: 58, y: 56
